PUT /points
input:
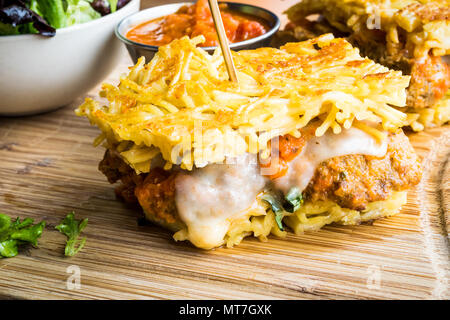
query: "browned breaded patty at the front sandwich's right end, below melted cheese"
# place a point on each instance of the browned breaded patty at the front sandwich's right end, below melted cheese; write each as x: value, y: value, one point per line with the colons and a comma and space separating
x: 353, y: 181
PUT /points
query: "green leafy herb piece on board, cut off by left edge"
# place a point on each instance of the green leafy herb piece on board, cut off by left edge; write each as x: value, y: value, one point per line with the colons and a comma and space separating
x: 16, y: 233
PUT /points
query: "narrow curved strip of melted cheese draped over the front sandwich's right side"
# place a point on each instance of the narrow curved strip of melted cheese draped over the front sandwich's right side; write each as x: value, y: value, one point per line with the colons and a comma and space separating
x: 319, y: 149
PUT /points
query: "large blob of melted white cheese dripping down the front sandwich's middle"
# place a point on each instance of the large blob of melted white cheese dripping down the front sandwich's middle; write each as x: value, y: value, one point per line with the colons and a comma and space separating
x: 208, y: 198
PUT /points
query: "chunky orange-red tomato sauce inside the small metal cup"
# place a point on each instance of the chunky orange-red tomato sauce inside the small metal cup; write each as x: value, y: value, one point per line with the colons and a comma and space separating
x: 196, y: 20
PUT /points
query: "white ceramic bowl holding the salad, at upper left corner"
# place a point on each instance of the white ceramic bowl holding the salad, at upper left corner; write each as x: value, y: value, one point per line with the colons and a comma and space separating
x: 38, y: 74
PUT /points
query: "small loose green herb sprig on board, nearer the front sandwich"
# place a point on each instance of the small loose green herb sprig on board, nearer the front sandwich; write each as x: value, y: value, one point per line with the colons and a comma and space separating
x: 72, y: 229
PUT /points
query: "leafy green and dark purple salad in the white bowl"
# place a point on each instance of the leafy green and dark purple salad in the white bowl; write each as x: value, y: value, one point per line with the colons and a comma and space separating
x: 45, y: 16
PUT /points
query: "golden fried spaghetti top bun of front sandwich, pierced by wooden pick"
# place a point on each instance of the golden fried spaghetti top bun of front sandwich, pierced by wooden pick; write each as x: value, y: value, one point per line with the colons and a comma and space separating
x: 165, y: 106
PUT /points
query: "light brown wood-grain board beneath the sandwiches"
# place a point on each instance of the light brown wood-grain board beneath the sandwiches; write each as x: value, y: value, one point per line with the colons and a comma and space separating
x: 49, y: 167
